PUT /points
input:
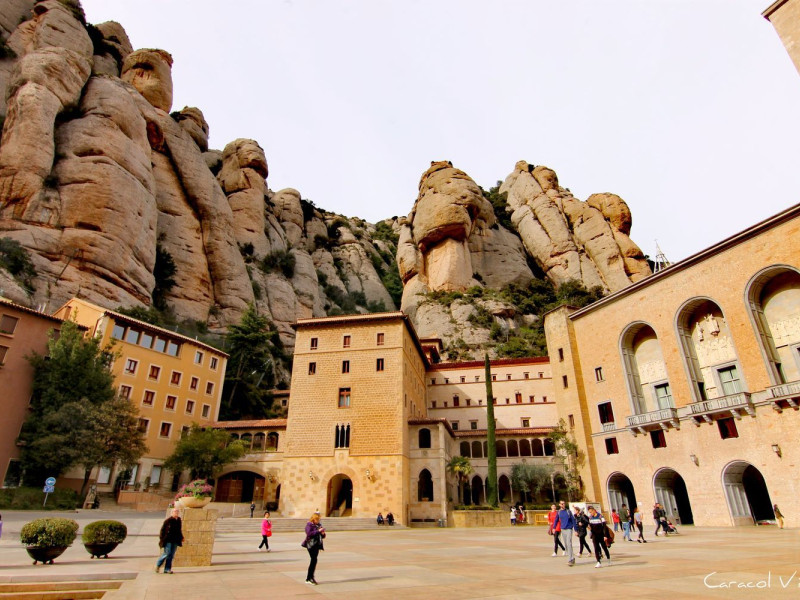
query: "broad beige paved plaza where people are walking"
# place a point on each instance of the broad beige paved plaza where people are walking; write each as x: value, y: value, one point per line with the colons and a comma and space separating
x: 503, y: 563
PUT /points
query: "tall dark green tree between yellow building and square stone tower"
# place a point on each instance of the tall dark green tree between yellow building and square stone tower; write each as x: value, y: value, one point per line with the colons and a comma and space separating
x: 250, y: 374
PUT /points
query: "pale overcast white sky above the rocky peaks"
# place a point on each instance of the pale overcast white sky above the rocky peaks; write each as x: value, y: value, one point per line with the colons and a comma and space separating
x: 687, y: 109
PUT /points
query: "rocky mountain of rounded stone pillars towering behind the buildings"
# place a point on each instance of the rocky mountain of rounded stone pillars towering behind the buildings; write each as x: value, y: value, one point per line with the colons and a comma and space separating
x: 119, y: 200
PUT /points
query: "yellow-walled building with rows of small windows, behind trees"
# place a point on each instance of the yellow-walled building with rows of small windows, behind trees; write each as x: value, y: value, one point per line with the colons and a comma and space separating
x: 173, y: 380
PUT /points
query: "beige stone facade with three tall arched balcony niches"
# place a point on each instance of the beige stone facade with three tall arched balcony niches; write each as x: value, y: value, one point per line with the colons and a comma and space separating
x: 684, y: 387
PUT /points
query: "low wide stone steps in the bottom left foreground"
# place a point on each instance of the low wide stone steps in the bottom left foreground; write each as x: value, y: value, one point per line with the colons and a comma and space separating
x: 66, y: 587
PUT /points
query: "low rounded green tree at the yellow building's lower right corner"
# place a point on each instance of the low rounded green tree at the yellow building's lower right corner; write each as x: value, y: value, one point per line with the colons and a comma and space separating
x: 204, y: 452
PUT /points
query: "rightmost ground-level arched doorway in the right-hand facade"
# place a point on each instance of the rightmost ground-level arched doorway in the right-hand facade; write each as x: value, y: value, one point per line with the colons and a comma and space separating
x: 747, y: 494
